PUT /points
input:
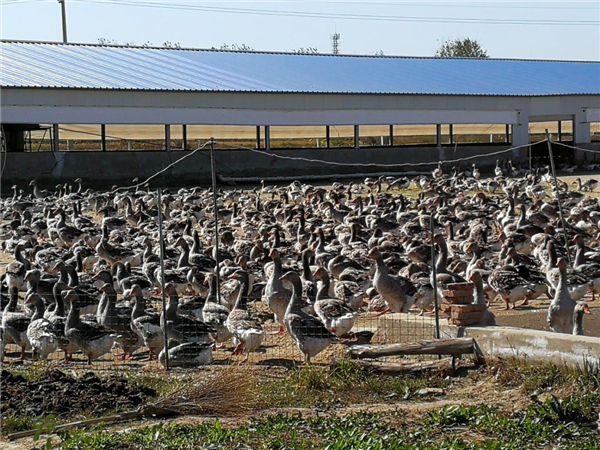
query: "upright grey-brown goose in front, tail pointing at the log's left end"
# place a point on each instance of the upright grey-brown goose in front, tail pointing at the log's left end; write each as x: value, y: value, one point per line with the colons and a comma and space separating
x: 311, y: 336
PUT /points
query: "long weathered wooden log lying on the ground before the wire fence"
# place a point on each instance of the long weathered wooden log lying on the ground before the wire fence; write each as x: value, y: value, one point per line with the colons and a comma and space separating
x: 453, y: 347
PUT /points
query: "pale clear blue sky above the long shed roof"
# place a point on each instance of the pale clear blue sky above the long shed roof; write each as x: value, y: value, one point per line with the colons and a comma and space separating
x: 561, y: 30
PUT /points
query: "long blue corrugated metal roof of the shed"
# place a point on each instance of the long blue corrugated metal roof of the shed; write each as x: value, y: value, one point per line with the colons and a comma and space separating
x: 52, y: 65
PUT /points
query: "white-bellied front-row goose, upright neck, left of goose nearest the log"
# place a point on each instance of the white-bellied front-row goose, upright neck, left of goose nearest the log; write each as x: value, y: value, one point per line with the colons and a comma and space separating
x: 246, y: 330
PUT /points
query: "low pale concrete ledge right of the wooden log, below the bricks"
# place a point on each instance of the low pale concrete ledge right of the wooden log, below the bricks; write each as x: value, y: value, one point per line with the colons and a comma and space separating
x: 532, y: 345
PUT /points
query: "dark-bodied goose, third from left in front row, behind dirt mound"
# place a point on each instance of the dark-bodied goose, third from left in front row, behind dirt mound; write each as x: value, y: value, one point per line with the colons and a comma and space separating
x: 93, y: 339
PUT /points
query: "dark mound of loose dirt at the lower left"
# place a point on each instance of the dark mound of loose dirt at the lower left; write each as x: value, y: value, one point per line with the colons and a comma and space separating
x: 60, y: 394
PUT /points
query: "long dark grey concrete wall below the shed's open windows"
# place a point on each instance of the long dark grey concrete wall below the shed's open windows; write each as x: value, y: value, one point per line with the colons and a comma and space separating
x: 108, y: 168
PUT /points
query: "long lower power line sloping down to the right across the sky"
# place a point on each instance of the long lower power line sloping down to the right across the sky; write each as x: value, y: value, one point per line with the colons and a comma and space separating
x: 342, y: 16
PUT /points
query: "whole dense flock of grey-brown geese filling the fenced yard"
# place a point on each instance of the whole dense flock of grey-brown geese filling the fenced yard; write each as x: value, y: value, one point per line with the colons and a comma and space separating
x: 85, y: 271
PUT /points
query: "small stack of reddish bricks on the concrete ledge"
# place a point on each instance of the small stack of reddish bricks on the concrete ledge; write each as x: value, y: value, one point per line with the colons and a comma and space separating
x: 458, y: 305
